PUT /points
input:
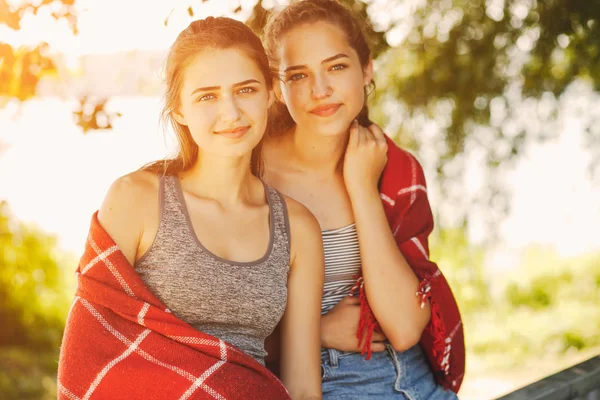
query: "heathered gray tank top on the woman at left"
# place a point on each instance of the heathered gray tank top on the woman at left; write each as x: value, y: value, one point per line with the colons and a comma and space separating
x: 239, y: 302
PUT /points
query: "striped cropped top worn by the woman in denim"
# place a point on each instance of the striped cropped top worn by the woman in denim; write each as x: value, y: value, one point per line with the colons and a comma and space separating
x: 342, y: 263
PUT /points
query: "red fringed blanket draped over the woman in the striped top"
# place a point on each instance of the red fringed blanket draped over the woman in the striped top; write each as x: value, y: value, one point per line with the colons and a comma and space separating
x: 404, y: 195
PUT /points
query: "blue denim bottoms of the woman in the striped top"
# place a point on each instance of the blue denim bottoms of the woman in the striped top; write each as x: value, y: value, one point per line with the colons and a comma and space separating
x: 387, y: 375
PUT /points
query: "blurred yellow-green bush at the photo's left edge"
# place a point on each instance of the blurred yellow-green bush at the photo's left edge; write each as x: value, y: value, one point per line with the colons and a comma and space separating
x: 34, y: 289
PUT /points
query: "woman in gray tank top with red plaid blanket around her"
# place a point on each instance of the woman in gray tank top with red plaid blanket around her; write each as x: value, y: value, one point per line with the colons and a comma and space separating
x: 192, y: 261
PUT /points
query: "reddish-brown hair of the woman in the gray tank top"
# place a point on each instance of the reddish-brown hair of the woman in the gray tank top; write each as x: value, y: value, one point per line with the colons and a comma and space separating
x: 216, y: 33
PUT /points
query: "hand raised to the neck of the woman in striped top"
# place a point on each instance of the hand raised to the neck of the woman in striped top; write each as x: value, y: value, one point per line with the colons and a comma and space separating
x: 365, y: 158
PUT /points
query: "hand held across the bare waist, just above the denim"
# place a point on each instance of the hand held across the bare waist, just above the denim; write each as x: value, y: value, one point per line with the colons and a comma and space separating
x: 339, y: 326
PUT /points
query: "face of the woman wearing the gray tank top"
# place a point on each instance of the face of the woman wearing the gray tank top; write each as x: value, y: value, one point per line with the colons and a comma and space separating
x: 224, y: 101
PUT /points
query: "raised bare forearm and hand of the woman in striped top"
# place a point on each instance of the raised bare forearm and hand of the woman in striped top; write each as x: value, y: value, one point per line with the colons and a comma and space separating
x: 390, y: 282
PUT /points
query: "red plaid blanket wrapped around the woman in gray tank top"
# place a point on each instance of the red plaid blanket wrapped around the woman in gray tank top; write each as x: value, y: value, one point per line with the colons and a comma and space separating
x: 121, y: 342
